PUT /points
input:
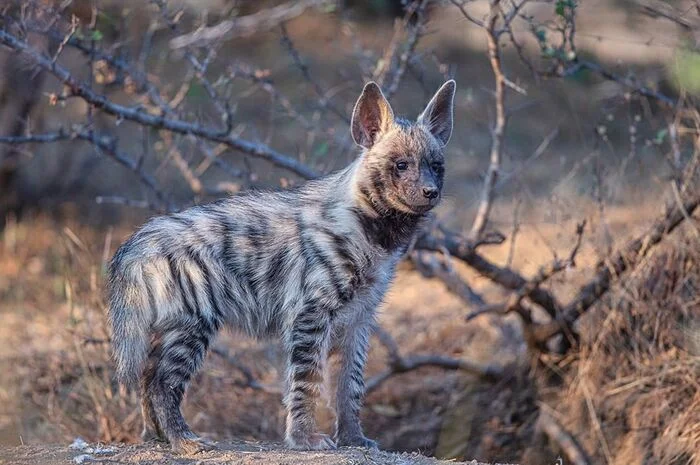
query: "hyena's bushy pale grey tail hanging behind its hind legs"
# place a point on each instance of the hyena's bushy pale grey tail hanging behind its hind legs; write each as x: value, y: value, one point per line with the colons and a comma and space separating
x: 131, y: 319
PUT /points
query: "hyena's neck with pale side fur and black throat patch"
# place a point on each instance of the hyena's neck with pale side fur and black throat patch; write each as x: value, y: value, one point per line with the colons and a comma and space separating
x: 382, y: 225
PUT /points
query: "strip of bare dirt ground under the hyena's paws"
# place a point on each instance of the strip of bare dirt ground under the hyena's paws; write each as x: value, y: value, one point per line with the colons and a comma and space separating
x: 240, y: 453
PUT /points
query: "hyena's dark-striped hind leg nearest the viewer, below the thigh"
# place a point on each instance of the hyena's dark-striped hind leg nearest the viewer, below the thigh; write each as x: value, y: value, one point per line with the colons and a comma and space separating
x: 177, y: 360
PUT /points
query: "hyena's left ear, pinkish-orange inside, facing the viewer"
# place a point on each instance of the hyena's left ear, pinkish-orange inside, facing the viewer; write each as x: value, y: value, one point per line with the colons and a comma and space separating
x: 371, y: 117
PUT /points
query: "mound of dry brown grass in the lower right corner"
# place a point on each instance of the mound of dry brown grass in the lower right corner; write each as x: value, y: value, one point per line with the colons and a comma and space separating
x: 633, y: 395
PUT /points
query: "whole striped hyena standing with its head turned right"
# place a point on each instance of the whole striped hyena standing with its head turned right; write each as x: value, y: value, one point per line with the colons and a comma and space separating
x: 309, y: 265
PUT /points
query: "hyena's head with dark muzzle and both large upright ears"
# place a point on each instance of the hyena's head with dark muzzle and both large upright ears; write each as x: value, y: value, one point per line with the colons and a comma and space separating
x: 402, y: 167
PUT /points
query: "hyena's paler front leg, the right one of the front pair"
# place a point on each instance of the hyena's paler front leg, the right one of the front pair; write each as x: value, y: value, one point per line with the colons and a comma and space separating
x: 351, y: 387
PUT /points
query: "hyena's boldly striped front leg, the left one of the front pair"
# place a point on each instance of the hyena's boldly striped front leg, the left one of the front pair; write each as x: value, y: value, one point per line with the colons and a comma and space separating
x: 307, y: 341
